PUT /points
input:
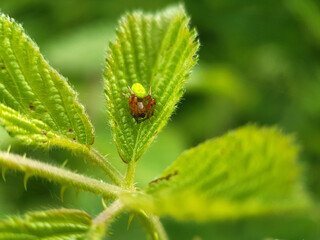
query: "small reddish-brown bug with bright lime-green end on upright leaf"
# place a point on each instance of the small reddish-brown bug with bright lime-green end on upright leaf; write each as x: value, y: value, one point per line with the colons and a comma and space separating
x: 141, y: 105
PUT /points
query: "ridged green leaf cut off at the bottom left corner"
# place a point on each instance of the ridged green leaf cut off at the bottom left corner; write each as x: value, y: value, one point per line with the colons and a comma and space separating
x: 62, y: 224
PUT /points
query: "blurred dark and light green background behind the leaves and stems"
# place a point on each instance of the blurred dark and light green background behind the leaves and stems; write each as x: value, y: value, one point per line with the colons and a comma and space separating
x: 259, y: 63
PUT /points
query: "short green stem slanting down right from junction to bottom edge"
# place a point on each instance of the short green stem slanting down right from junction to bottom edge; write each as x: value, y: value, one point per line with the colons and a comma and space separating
x: 153, y: 226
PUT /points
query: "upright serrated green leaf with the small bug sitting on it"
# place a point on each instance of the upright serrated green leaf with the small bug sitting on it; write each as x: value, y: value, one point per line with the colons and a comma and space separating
x: 156, y: 50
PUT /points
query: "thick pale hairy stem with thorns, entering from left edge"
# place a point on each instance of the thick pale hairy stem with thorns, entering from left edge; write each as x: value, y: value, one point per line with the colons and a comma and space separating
x: 64, y: 177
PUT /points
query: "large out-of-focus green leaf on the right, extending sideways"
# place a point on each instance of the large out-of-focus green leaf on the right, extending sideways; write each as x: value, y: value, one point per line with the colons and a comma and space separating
x: 246, y: 172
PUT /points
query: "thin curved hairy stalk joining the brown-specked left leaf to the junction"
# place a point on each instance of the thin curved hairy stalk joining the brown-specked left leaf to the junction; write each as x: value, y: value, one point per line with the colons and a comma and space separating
x: 93, y: 155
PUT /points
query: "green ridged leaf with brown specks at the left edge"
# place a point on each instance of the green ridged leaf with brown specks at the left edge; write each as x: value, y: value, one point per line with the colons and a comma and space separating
x: 36, y: 103
